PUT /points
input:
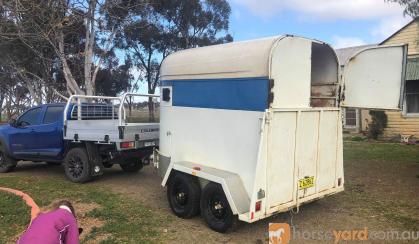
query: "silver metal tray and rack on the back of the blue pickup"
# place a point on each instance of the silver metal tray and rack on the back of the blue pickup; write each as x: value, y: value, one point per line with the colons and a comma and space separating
x: 103, y: 119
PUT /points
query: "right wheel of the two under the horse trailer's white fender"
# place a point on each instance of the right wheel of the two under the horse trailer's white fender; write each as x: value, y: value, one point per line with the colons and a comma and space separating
x: 215, y: 208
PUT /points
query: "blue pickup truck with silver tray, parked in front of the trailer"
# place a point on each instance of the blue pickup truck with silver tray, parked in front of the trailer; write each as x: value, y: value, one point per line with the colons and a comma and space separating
x: 41, y: 134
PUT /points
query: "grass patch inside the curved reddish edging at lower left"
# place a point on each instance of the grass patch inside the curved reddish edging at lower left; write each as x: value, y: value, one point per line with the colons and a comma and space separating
x: 14, y: 216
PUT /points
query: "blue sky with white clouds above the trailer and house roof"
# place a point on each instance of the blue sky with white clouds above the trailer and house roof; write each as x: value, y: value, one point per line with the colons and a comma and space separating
x: 341, y: 23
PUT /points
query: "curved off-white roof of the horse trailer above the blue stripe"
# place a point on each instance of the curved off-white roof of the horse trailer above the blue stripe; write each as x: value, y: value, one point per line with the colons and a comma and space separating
x: 231, y: 60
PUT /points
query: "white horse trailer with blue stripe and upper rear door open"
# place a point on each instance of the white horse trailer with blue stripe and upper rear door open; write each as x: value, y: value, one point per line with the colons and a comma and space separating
x: 249, y: 129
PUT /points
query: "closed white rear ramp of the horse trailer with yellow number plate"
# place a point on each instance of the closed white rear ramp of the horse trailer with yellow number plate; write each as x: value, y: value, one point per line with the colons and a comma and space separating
x: 303, y: 162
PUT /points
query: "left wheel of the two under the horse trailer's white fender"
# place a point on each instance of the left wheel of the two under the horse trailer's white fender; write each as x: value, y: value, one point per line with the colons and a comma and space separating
x: 183, y: 194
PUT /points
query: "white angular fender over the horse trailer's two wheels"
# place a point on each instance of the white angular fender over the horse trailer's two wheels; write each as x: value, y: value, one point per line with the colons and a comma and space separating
x: 231, y: 183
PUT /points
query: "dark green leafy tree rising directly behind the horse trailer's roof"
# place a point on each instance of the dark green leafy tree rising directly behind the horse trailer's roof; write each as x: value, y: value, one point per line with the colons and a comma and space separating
x: 166, y: 26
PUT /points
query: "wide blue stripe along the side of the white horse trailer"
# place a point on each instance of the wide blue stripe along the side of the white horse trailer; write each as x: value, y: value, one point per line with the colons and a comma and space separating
x: 236, y: 94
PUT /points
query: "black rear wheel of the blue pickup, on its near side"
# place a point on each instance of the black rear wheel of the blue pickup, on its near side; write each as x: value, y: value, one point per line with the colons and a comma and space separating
x: 77, y: 166
